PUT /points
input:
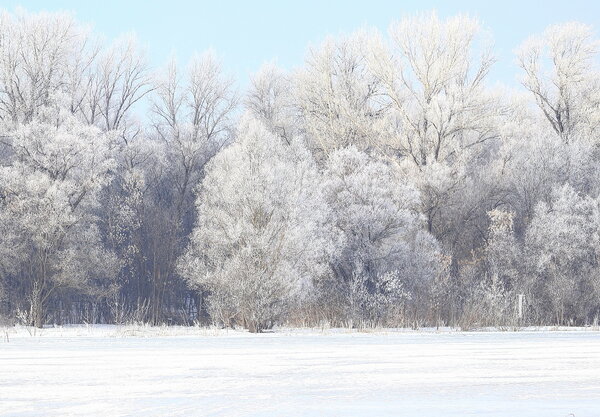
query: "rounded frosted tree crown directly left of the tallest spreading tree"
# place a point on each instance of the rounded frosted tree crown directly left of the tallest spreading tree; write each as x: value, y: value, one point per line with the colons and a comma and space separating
x: 340, y: 100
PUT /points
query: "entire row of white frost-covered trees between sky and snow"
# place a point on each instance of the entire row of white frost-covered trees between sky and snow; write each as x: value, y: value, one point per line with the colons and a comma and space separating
x: 386, y: 182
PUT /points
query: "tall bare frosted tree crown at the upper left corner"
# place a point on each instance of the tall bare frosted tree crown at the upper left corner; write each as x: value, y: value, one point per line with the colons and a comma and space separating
x: 41, y: 57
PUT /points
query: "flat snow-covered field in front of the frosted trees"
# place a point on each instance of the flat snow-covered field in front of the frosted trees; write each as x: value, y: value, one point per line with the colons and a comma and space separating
x: 111, y: 371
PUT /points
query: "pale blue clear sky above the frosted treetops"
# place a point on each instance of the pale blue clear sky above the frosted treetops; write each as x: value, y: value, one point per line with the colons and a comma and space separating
x: 244, y: 34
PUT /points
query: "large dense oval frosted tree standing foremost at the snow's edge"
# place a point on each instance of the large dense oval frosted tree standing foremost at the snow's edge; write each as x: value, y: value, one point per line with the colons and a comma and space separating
x: 263, y: 231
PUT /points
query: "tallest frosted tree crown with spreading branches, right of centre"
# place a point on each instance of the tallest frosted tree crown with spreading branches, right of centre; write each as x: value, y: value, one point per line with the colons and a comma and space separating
x: 435, y: 82
